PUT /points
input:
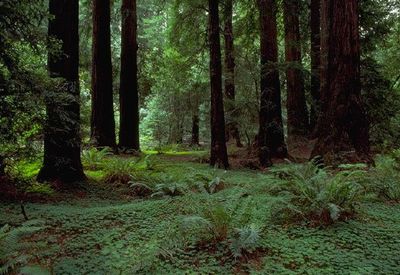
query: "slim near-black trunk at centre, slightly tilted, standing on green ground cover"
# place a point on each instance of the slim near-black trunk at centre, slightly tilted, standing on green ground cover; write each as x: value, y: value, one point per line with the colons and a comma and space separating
x: 219, y: 155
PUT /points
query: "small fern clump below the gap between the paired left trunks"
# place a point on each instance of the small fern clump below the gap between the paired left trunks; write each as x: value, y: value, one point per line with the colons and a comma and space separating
x: 118, y: 171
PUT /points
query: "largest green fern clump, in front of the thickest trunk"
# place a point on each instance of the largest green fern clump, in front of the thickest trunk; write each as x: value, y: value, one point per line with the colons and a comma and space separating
x: 311, y: 192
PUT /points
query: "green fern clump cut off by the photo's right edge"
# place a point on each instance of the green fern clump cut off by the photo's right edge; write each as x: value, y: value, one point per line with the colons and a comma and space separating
x: 384, y: 178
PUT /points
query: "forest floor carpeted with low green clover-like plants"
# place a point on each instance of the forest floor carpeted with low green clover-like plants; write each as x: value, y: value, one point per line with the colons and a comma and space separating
x: 109, y: 229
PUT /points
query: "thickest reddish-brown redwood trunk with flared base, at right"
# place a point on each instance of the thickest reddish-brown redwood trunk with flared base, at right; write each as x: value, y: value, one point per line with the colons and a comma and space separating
x: 342, y: 125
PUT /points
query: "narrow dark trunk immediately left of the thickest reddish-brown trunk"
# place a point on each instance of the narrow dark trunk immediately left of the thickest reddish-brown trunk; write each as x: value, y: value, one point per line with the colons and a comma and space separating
x: 315, y: 23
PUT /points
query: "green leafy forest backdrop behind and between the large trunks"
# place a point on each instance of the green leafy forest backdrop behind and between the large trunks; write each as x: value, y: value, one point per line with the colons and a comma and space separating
x: 173, y: 74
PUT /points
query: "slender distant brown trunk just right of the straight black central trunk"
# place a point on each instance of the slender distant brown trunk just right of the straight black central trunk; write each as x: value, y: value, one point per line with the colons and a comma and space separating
x: 231, y: 125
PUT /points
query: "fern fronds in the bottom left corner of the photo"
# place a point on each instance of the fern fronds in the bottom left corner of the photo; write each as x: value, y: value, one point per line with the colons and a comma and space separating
x: 11, y: 247
